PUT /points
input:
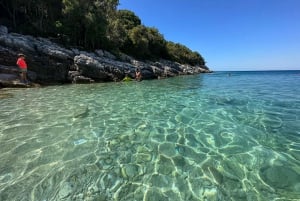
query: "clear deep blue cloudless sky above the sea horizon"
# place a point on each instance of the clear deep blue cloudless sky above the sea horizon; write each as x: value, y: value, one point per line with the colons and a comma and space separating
x: 229, y: 34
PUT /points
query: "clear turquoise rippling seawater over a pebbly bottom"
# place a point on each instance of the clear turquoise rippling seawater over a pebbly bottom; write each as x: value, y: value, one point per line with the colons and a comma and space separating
x: 209, y: 137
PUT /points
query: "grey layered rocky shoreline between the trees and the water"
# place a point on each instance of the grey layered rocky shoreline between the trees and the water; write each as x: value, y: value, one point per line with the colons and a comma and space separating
x: 50, y: 63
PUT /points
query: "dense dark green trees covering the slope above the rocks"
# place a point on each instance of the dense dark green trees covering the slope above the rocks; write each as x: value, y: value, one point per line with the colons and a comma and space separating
x: 93, y: 24
